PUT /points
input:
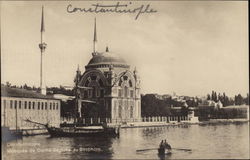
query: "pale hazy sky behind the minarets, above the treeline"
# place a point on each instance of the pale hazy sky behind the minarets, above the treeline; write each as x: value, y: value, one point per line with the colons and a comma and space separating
x: 186, y: 47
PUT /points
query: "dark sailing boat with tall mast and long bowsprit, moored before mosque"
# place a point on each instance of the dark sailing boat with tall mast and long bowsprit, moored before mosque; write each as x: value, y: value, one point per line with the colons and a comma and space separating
x: 75, y: 131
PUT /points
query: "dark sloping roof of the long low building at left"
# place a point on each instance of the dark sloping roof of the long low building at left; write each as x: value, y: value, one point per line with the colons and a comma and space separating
x: 22, y: 93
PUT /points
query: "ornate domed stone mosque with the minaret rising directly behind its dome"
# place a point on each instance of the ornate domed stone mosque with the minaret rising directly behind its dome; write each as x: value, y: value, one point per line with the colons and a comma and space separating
x: 109, y: 89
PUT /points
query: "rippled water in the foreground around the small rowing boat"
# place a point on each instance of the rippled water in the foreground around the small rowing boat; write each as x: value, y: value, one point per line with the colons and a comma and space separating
x: 210, y: 142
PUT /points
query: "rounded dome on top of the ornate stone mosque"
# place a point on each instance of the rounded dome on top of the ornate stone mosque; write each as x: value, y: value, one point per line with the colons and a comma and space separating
x: 106, y: 58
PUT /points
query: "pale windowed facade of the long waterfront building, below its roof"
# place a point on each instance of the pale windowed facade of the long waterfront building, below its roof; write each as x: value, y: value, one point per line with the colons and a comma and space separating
x: 15, y: 110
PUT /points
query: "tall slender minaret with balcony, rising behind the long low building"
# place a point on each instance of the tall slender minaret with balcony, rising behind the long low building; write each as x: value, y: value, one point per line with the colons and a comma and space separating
x: 42, y: 47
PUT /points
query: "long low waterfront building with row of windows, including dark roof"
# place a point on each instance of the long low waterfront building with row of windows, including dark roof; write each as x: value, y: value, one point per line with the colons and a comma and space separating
x: 18, y: 105
